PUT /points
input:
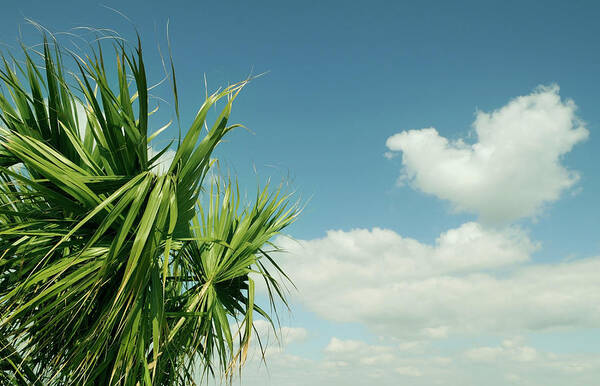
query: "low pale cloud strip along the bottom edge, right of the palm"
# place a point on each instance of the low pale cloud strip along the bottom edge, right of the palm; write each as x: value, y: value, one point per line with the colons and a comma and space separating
x: 357, y: 363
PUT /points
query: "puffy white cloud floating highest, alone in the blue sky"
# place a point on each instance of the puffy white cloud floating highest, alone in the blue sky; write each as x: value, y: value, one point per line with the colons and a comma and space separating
x: 513, y: 168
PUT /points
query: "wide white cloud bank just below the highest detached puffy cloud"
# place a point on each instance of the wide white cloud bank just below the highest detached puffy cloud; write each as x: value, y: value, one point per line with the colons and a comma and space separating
x: 472, y: 280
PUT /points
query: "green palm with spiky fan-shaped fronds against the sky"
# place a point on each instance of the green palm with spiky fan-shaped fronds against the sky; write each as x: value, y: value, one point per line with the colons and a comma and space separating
x: 111, y: 270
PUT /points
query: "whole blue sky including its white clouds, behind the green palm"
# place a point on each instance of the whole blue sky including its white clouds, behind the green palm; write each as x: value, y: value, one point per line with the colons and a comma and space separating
x: 484, y: 271
